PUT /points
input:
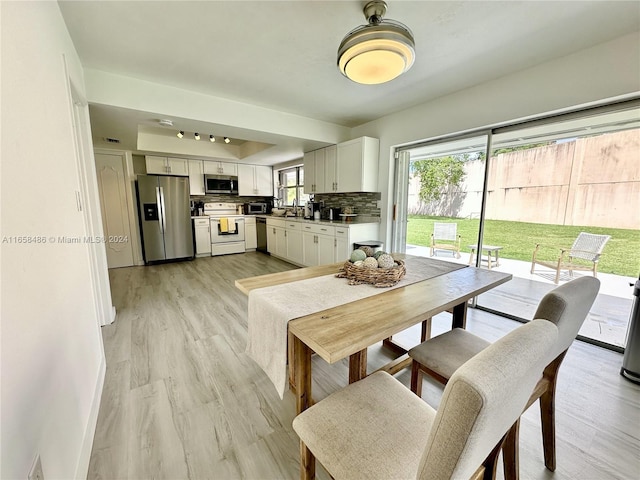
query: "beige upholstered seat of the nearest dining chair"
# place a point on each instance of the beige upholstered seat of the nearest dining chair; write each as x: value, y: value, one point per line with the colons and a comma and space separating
x: 360, y: 427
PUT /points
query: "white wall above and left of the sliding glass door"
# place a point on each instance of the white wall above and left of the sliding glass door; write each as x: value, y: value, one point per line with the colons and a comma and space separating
x: 590, y: 76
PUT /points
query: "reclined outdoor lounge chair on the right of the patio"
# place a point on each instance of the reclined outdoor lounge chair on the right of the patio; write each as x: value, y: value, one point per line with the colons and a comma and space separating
x: 583, y: 255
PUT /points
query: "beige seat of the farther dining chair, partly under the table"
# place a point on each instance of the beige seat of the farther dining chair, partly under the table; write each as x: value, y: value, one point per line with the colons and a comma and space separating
x: 446, y: 353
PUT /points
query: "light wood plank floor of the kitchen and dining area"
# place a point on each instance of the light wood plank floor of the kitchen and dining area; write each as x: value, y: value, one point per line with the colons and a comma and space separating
x: 182, y: 401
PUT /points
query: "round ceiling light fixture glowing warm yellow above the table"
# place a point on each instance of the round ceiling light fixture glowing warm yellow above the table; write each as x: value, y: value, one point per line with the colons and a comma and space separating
x: 377, y: 52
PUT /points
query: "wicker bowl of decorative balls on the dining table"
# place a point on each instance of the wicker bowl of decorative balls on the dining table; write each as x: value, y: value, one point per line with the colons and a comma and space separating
x: 379, y: 269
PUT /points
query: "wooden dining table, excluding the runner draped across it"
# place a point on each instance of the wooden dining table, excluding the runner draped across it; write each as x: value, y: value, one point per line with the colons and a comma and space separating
x: 348, y: 330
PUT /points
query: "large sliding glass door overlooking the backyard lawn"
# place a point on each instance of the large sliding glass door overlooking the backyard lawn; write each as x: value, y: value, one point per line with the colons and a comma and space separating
x: 549, y: 183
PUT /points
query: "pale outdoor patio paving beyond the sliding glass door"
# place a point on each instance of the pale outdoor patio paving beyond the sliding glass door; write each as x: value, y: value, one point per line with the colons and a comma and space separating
x: 609, y: 317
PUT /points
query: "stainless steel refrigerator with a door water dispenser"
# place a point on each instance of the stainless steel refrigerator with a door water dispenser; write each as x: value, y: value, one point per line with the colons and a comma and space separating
x: 165, y: 217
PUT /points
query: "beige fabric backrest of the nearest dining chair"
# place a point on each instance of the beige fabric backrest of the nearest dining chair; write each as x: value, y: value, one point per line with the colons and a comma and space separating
x: 483, y: 399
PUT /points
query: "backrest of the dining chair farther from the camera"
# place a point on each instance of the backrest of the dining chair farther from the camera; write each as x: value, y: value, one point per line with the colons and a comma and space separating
x: 567, y: 306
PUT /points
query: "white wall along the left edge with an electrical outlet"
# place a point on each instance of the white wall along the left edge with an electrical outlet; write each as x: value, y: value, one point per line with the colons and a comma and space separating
x: 52, y: 362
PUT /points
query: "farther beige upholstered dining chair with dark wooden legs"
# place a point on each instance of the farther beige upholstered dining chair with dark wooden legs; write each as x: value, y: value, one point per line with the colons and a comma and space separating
x: 566, y: 306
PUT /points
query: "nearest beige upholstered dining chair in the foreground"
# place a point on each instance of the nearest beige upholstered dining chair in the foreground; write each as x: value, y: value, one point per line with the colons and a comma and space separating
x: 377, y: 429
